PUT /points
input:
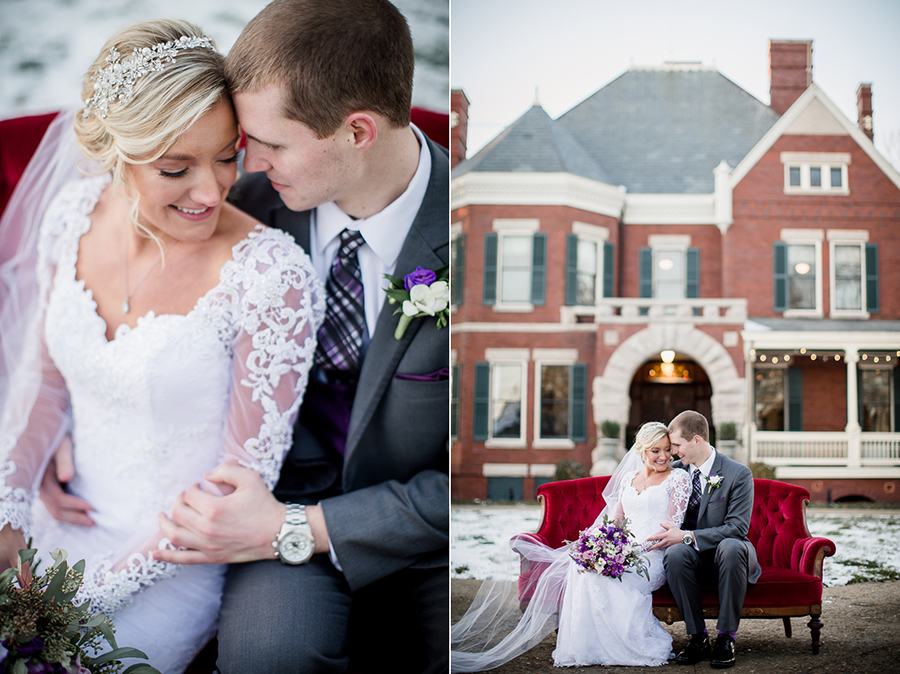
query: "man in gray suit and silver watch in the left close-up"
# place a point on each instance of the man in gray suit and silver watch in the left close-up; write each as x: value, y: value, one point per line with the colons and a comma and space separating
x: 322, y: 89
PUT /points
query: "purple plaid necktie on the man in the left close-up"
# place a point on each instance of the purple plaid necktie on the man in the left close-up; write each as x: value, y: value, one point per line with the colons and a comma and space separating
x: 344, y: 328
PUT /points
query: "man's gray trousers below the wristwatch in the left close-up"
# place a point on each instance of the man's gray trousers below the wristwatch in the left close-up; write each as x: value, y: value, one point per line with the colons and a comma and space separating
x: 281, y: 619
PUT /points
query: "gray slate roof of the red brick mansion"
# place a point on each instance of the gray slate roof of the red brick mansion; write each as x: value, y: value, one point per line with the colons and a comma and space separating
x: 652, y: 130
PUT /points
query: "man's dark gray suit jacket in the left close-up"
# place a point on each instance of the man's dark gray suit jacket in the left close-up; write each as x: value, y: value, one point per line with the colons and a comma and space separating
x: 386, y: 503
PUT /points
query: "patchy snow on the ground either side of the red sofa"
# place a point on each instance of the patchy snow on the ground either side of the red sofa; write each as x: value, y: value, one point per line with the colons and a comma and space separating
x: 868, y: 545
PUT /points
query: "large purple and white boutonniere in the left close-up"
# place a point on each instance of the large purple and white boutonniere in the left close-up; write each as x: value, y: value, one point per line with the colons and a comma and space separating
x: 422, y: 292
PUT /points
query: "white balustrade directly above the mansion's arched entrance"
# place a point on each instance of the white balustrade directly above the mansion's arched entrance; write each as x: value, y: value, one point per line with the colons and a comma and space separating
x: 630, y: 310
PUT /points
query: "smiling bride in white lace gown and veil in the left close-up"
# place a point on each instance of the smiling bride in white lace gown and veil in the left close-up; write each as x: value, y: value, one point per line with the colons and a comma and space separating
x: 165, y: 330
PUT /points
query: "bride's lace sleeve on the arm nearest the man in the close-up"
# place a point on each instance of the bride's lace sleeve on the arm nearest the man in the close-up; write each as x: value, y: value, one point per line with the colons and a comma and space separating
x: 276, y: 307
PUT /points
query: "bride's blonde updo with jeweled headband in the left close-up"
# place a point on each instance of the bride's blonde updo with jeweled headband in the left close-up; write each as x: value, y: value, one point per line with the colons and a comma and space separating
x: 157, y: 106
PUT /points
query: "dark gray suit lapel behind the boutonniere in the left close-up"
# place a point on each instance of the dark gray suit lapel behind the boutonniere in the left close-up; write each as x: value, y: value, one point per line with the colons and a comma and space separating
x: 429, y: 233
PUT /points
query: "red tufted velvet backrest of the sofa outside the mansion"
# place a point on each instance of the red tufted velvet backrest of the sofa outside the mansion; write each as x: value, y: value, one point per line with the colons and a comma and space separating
x: 777, y: 525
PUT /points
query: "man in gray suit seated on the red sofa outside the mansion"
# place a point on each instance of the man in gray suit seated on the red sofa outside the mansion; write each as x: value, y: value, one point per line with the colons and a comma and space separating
x: 713, y: 546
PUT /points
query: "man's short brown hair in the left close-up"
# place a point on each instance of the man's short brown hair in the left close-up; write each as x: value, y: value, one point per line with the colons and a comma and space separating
x: 332, y: 58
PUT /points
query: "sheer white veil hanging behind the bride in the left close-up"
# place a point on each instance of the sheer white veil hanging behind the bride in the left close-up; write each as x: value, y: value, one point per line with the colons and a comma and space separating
x: 21, y: 302
